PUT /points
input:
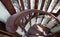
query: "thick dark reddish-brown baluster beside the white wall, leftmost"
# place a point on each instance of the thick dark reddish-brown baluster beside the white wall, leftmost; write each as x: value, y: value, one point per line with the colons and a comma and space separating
x: 9, y: 6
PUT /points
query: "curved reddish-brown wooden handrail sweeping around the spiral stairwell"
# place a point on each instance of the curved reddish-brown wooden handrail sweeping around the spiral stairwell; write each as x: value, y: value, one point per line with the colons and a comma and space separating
x: 13, y: 22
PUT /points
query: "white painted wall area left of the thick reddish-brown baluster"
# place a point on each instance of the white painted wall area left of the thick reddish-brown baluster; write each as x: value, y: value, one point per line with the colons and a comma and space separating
x: 4, y: 14
